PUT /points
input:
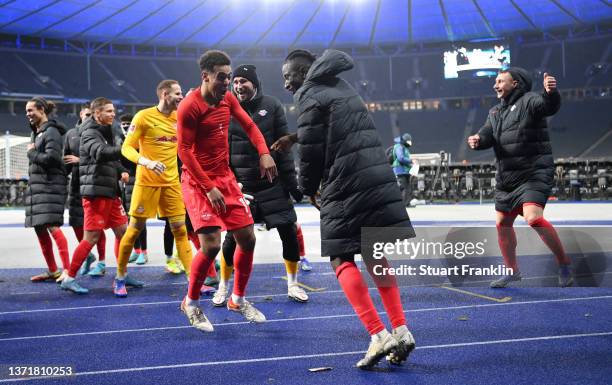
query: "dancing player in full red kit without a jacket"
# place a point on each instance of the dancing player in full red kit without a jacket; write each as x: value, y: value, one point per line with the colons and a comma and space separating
x: 213, y: 199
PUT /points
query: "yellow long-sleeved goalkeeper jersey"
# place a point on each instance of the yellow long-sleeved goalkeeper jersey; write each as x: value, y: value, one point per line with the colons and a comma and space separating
x: 153, y: 135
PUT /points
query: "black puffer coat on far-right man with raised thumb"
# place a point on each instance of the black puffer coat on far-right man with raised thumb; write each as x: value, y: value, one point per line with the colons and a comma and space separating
x: 516, y: 128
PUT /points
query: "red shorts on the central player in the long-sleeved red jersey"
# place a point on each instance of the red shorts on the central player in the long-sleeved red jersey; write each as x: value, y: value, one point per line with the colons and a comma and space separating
x: 237, y: 213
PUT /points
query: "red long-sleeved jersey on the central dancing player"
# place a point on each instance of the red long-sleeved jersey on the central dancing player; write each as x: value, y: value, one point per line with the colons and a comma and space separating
x: 202, y: 132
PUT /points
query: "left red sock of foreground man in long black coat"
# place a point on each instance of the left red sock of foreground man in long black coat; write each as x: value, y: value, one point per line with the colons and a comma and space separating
x: 356, y: 292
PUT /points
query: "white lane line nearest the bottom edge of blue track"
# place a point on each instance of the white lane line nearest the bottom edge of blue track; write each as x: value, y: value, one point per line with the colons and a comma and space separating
x: 319, y: 355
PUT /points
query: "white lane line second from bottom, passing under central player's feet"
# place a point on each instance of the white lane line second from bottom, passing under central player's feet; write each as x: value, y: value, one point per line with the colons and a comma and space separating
x: 311, y: 318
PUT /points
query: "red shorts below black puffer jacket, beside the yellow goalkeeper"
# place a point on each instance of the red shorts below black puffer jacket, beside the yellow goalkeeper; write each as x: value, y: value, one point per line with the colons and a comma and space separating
x: 103, y: 213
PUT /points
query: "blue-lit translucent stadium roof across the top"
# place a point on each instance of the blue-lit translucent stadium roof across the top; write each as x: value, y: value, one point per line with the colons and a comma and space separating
x: 287, y: 23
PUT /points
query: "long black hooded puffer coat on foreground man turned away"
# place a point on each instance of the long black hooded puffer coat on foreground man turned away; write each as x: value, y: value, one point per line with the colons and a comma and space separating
x: 340, y: 148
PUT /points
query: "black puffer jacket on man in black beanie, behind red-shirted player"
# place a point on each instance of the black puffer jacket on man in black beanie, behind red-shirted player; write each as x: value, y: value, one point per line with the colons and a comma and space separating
x: 272, y: 204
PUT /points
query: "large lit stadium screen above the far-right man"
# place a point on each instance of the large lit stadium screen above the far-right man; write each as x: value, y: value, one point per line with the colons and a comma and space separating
x: 470, y: 62
